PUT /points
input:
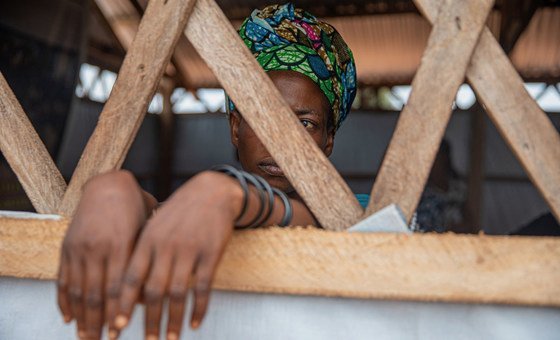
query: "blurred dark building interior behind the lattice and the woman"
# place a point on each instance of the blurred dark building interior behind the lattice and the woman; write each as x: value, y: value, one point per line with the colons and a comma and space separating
x: 62, y: 57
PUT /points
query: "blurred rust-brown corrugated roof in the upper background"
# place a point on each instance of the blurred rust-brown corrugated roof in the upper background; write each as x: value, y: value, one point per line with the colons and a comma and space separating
x: 388, y: 47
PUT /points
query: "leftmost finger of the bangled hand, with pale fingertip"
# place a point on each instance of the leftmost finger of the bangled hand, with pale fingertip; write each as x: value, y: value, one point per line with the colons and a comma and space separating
x: 132, y: 284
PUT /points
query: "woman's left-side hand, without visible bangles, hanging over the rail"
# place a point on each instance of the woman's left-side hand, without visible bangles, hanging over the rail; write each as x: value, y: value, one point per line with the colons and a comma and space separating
x: 96, y: 249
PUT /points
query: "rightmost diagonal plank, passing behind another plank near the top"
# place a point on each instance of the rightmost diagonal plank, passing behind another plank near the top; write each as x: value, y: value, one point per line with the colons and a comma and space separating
x: 524, y: 126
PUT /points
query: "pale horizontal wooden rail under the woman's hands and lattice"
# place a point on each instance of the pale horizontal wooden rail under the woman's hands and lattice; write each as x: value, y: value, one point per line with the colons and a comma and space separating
x: 418, y: 267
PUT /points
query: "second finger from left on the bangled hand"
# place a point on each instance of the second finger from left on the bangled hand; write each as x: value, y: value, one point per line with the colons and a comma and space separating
x: 154, y: 291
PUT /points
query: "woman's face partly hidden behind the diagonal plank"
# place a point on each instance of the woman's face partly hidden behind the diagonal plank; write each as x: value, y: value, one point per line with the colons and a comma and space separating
x: 311, y: 106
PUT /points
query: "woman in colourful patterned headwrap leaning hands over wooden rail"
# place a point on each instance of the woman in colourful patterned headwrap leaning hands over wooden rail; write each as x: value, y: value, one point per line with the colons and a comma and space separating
x: 119, y: 247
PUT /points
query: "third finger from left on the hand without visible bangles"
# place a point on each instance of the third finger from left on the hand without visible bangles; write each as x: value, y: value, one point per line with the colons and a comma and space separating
x: 93, y: 299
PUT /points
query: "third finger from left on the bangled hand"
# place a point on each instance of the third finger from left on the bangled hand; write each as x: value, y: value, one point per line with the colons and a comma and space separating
x: 177, y: 291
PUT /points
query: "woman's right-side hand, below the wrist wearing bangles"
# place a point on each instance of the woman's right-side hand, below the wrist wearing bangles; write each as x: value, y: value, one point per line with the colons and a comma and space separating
x: 182, y: 243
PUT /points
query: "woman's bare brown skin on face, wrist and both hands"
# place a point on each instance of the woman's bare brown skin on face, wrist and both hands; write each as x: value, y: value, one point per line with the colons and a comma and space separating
x: 117, y: 250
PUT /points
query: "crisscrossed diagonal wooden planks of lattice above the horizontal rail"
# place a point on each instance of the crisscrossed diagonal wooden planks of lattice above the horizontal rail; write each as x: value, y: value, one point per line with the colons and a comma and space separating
x: 460, y: 45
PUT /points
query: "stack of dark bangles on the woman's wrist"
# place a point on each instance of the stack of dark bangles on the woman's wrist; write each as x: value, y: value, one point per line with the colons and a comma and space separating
x: 266, y: 196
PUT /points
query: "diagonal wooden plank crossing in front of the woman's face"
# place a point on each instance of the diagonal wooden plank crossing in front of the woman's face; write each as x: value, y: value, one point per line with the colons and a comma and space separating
x: 260, y: 103
